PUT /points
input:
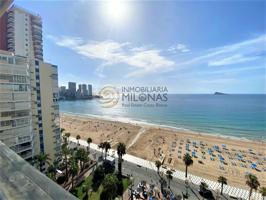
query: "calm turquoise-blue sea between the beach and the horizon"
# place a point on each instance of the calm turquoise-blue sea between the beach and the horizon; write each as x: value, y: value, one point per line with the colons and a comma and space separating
x: 240, y: 116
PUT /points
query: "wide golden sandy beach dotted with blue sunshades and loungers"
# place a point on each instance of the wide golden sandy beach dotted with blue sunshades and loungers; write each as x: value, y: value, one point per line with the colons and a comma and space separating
x: 213, y: 155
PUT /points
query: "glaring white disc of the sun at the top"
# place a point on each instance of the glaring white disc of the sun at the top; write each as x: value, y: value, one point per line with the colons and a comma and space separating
x: 117, y: 11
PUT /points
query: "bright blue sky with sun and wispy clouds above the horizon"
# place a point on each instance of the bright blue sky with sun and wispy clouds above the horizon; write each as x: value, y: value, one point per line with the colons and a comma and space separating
x: 187, y: 46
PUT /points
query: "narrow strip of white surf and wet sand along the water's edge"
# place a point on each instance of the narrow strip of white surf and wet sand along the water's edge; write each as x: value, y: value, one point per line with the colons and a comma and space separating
x: 166, y: 127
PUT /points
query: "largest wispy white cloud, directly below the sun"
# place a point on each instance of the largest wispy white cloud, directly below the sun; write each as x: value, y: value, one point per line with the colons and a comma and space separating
x: 147, y: 60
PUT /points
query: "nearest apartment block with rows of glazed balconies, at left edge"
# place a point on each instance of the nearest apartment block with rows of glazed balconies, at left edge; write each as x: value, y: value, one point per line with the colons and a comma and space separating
x: 16, y: 129
